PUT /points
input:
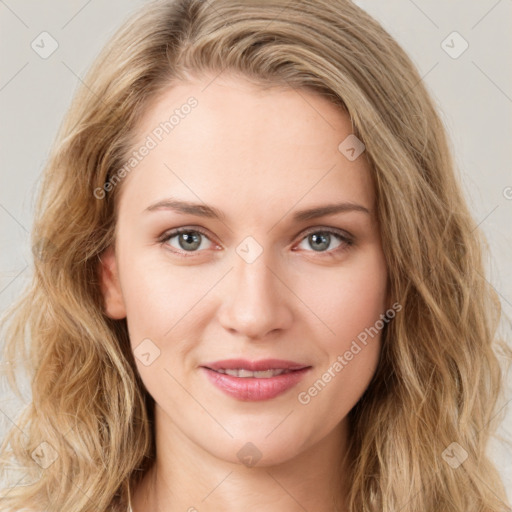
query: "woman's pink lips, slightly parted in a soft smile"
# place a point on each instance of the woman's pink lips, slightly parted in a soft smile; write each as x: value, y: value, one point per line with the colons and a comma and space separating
x: 254, y: 380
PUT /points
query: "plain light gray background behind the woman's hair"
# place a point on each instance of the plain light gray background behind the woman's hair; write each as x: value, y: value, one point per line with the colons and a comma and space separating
x: 473, y: 92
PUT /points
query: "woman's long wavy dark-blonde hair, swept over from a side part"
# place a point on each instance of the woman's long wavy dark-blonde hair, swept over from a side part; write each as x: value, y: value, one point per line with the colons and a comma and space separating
x: 419, y: 434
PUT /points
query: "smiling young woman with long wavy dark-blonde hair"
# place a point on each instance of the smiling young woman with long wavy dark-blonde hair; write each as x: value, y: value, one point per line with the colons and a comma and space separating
x: 257, y: 283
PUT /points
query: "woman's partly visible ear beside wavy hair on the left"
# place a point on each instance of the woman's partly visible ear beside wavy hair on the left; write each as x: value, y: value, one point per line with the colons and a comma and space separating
x: 110, y: 286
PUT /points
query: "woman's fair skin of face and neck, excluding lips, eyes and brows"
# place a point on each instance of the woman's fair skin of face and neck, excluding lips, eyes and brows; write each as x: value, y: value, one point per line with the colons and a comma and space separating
x: 258, y: 156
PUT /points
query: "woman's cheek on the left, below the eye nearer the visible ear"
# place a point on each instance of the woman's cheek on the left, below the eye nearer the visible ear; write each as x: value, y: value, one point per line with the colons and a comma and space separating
x: 165, y: 308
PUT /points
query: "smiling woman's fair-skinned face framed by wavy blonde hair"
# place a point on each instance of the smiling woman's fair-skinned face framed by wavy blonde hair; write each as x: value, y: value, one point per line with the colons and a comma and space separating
x: 223, y: 252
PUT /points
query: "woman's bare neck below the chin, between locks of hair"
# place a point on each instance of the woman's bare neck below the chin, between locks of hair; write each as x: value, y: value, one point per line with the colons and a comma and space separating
x: 185, y: 477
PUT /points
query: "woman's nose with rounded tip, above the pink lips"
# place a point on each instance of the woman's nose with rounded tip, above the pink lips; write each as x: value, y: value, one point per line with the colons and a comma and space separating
x: 257, y: 301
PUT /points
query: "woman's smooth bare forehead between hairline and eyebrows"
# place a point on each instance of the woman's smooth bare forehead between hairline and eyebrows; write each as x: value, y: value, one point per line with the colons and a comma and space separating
x: 220, y: 140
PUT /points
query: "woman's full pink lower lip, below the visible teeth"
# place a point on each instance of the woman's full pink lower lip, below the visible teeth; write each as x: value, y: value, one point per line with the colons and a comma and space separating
x: 253, y: 388
